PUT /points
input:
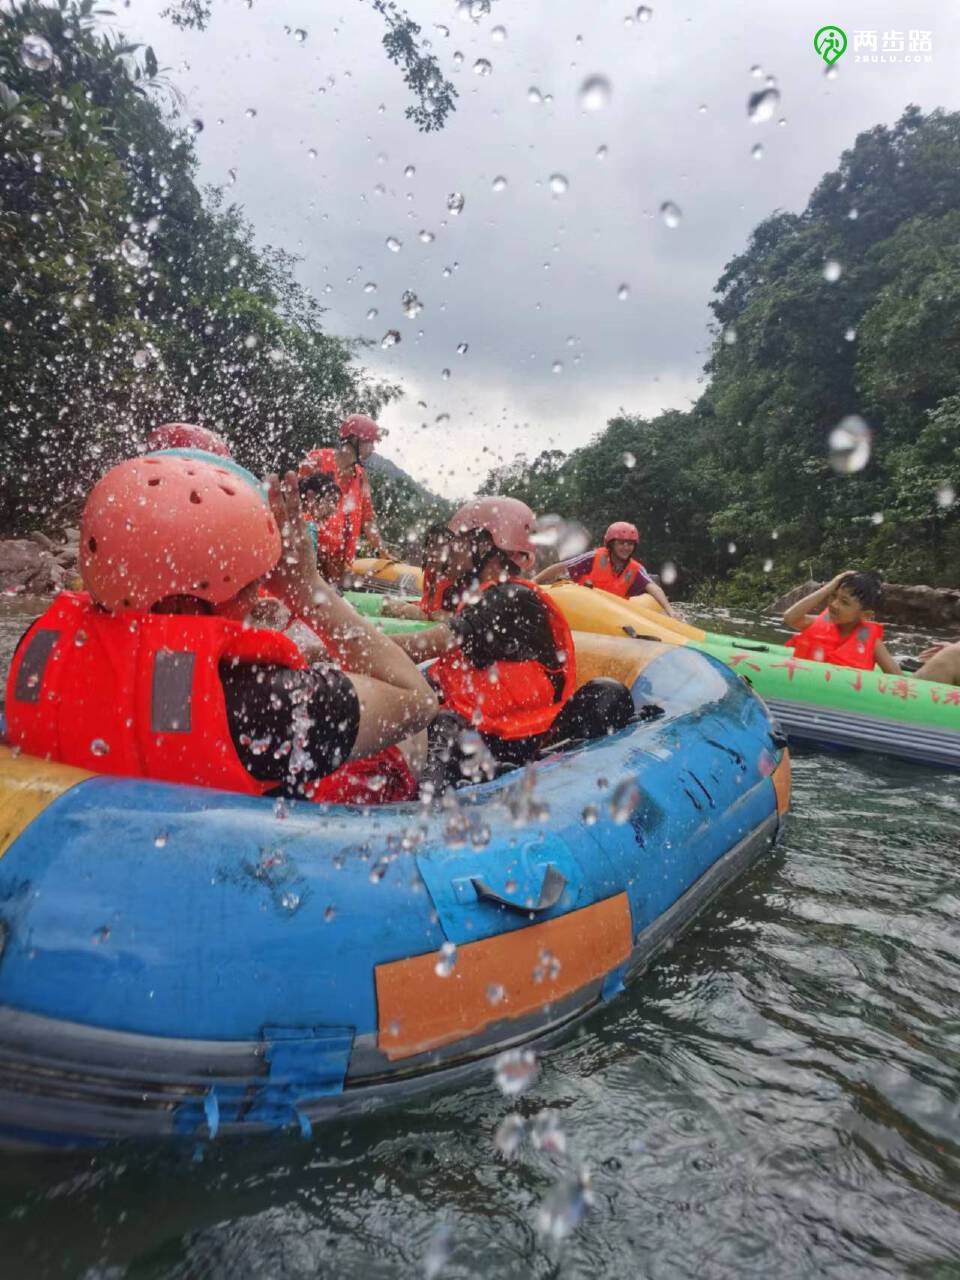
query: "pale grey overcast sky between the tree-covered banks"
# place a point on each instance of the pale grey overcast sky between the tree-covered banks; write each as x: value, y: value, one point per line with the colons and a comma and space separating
x: 534, y: 275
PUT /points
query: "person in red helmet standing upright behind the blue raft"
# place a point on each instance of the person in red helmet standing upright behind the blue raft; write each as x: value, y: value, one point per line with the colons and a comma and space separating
x: 354, y: 516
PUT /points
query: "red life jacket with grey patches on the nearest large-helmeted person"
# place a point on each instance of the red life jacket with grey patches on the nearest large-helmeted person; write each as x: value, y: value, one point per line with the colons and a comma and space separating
x: 135, y: 694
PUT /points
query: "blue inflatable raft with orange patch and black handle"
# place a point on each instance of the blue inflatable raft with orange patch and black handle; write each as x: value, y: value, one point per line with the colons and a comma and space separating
x: 177, y: 961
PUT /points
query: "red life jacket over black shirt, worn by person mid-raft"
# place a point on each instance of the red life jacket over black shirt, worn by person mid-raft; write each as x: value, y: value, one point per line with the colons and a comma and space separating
x: 510, y: 700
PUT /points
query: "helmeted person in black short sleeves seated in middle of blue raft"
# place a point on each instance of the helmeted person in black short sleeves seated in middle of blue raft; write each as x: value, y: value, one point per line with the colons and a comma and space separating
x: 506, y: 664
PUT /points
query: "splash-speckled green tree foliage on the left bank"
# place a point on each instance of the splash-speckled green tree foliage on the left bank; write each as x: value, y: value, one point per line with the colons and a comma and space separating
x: 127, y: 296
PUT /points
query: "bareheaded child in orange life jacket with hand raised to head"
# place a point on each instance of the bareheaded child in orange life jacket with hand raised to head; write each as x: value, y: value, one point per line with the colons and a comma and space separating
x: 844, y: 633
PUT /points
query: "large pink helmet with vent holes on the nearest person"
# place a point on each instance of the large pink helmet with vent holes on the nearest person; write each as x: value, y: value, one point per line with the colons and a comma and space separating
x: 167, y: 525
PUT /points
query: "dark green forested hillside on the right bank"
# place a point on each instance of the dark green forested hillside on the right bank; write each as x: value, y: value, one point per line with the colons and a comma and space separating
x: 851, y: 308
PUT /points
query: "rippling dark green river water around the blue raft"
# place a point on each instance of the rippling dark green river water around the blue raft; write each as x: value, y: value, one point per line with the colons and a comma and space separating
x: 779, y: 1098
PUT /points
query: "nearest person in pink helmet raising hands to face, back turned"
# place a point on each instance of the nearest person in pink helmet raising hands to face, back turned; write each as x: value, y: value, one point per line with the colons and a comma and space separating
x: 153, y: 671
